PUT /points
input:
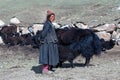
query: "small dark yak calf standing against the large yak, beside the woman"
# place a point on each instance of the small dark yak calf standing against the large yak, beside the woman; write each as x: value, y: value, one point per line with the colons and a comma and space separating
x: 65, y: 54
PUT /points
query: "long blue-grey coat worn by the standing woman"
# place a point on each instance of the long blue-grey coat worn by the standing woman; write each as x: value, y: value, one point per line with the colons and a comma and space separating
x: 49, y: 49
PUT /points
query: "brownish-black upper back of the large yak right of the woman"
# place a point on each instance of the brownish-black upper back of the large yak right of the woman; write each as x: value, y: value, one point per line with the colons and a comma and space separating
x: 71, y: 35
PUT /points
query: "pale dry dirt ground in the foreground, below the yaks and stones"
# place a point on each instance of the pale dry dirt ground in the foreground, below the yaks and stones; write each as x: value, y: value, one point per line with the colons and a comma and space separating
x: 21, y: 63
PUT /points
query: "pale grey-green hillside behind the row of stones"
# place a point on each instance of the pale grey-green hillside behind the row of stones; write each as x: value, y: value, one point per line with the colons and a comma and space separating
x: 91, y: 12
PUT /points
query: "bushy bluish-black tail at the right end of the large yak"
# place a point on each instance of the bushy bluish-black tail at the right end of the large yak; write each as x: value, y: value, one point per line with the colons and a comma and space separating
x: 97, y: 44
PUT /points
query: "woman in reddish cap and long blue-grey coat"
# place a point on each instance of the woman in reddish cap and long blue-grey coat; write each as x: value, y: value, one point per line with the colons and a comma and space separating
x: 48, y: 49
